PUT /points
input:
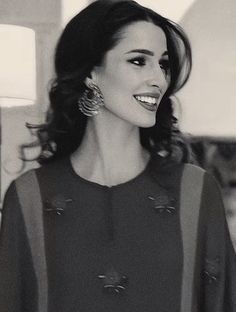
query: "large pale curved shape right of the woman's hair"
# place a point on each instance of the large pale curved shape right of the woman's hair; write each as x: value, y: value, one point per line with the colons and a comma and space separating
x: 209, y: 99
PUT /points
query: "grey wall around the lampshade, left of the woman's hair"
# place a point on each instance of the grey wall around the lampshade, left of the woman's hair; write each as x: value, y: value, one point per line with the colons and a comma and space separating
x: 44, y: 17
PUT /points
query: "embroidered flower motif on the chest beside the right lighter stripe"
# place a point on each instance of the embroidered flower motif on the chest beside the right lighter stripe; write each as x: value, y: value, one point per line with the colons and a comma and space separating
x: 163, y: 203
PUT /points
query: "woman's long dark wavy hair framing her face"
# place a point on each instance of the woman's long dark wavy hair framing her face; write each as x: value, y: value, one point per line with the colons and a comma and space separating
x: 83, y: 45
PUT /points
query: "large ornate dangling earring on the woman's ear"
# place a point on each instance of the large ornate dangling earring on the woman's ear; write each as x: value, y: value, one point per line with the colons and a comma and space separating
x: 91, y: 100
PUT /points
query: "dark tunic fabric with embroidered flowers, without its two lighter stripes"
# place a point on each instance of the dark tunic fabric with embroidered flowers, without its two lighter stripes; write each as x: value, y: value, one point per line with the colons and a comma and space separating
x: 118, y: 237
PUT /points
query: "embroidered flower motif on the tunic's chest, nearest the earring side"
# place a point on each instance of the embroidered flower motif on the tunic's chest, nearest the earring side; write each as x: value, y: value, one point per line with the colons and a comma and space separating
x: 57, y: 204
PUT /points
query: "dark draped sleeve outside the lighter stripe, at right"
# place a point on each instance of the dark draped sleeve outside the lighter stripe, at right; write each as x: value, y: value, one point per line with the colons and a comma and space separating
x: 215, y: 253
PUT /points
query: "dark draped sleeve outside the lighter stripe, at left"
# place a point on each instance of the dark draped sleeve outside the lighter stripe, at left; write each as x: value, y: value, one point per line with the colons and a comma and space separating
x: 17, y: 278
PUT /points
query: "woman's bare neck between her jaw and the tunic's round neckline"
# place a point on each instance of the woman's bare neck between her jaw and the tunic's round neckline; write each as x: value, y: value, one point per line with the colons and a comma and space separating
x: 110, y: 154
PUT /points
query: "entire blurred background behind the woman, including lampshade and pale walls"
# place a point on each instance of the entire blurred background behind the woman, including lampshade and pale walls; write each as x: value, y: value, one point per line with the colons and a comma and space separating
x: 206, y: 106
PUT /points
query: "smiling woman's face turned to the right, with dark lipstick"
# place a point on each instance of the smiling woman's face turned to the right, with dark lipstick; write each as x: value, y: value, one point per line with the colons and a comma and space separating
x: 135, y: 74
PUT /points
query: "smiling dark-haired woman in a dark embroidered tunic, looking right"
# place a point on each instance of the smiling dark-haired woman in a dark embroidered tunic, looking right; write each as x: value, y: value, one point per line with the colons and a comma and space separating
x: 112, y: 213
